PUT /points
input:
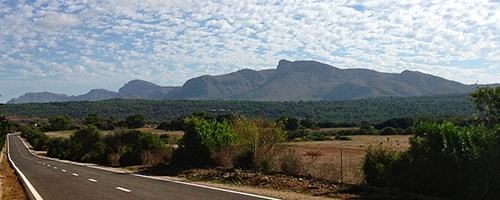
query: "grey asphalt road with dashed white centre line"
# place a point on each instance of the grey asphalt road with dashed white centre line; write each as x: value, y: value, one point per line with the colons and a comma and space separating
x: 57, y: 180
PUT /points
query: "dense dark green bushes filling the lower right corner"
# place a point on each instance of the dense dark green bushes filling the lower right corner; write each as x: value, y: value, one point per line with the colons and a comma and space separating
x: 445, y: 159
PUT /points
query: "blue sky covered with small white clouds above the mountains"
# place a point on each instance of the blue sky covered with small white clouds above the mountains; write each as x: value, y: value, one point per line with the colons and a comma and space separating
x: 73, y: 46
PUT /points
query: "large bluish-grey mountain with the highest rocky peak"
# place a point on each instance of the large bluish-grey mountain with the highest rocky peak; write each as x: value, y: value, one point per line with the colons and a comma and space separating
x: 310, y: 80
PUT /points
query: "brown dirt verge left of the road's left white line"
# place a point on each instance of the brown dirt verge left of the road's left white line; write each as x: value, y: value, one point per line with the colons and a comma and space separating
x: 10, y: 188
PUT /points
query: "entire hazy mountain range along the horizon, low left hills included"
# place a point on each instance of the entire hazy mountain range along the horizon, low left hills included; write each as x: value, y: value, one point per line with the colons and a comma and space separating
x: 290, y: 81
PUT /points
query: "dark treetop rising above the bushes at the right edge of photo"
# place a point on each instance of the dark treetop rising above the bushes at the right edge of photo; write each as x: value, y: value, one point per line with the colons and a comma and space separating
x: 487, y: 101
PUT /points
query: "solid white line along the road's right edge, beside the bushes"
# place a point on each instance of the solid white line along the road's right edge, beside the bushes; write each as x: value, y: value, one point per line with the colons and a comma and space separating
x: 143, y: 176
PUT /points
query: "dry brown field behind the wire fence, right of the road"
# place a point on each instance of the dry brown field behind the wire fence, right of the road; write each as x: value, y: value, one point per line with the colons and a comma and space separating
x: 322, y: 159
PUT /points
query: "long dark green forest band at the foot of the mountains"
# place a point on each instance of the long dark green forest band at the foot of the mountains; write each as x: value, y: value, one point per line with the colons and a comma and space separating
x: 373, y: 110
